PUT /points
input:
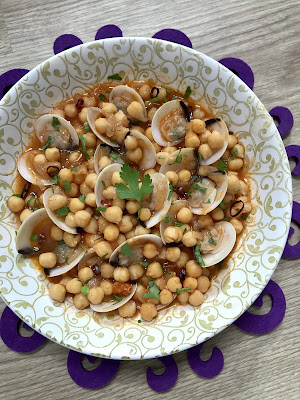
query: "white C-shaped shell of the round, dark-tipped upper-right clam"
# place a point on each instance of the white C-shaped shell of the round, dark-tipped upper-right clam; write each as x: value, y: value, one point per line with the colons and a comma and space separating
x: 158, y: 116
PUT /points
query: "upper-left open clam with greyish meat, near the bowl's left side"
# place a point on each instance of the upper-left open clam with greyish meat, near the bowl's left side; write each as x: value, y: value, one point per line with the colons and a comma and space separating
x: 63, y: 135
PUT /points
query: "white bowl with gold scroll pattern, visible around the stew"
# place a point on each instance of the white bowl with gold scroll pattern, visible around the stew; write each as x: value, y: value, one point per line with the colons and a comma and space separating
x: 258, y: 250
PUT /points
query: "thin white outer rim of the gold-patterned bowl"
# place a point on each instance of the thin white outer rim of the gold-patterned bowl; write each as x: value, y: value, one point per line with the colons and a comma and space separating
x: 154, y: 353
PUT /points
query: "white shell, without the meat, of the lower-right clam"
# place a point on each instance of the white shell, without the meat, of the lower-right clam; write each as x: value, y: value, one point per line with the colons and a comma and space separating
x: 211, y: 254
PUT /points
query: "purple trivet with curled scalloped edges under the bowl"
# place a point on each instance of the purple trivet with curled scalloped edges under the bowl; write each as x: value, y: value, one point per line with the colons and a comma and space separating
x: 259, y: 324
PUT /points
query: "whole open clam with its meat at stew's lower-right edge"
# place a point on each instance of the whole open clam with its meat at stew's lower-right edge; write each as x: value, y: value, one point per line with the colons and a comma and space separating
x: 215, y: 245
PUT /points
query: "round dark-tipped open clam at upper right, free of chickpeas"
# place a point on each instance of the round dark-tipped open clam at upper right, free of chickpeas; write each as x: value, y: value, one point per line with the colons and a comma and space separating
x: 169, y: 123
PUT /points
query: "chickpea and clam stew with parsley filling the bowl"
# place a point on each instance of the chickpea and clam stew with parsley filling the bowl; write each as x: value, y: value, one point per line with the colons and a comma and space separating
x: 130, y: 197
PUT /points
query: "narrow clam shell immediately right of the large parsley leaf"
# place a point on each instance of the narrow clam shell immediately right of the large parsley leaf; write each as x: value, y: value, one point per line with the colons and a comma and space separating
x: 161, y: 184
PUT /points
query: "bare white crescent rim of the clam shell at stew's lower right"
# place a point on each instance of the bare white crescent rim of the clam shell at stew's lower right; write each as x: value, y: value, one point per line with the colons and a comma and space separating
x: 224, y: 248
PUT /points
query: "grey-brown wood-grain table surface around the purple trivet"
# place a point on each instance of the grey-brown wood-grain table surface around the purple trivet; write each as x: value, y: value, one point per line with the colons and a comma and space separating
x: 265, y: 34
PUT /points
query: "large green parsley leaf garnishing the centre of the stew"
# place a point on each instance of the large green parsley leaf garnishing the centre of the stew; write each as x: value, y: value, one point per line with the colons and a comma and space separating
x: 131, y: 177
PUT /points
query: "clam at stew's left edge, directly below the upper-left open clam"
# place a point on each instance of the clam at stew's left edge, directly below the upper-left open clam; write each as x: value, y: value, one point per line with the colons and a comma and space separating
x: 34, y: 172
